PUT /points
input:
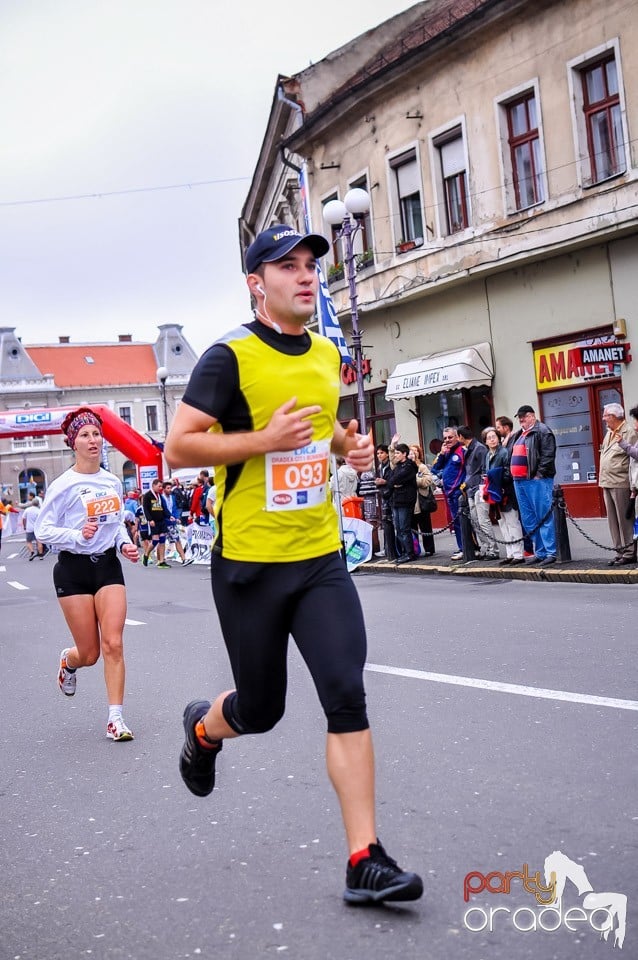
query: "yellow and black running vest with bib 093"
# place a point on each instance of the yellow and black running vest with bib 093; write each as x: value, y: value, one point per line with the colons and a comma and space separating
x: 277, y: 508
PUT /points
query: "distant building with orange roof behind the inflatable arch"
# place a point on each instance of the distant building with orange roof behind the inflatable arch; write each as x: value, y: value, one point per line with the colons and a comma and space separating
x: 141, y: 382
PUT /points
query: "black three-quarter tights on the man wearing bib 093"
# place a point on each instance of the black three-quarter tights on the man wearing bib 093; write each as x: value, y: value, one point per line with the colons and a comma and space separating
x: 260, y: 605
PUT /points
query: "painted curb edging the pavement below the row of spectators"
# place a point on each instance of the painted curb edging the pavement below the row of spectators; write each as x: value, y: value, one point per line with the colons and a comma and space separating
x: 554, y: 574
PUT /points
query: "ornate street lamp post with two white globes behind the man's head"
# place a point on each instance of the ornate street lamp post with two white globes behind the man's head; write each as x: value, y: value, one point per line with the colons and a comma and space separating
x: 349, y: 214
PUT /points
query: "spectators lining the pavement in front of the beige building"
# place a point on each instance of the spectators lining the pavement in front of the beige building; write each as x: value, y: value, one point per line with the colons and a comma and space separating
x: 505, y: 484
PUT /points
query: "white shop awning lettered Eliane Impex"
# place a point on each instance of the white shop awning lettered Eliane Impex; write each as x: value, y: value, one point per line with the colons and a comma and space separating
x: 469, y: 367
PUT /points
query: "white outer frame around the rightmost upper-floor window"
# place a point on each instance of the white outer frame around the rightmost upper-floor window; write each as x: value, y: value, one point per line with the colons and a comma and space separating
x: 579, y: 126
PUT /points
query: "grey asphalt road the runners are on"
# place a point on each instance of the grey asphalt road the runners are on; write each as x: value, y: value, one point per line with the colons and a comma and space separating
x: 105, y: 854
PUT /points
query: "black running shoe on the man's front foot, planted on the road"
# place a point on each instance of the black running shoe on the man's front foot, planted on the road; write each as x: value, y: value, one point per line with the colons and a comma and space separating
x: 378, y: 877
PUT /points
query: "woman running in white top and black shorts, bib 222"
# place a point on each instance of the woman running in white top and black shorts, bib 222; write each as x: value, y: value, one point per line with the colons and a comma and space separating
x: 82, y: 516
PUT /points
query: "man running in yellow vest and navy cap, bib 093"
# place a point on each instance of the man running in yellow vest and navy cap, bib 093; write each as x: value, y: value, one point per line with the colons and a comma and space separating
x: 261, y: 407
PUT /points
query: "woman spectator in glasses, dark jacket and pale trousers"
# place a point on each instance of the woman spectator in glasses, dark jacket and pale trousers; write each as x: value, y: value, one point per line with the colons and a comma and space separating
x: 500, y: 503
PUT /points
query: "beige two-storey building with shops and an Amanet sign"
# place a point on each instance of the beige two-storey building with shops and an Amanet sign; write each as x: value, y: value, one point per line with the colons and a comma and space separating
x: 497, y: 265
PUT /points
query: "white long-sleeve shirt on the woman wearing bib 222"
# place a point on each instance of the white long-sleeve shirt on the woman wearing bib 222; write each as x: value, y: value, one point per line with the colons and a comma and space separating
x: 74, y: 497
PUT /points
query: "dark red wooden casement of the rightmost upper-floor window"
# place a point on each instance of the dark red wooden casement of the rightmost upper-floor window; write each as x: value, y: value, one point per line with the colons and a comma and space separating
x: 601, y: 106
